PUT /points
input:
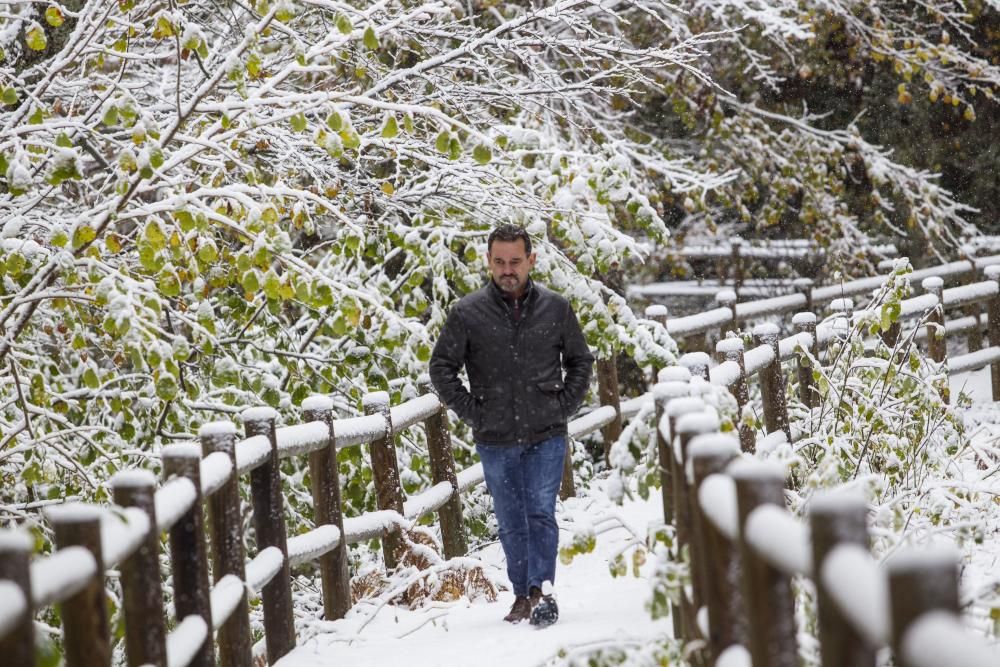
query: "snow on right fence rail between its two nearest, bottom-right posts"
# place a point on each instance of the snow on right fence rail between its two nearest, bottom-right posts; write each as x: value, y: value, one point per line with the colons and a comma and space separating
x: 860, y: 590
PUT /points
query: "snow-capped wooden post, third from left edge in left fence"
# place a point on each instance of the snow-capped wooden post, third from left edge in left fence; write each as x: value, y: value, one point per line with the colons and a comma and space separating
x: 145, y: 631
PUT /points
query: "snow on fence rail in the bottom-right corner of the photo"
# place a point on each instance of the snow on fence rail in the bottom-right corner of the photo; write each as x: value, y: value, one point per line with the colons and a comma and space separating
x: 938, y: 639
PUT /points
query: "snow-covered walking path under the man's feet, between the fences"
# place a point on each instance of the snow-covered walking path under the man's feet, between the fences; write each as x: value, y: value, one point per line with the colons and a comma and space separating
x: 594, y: 607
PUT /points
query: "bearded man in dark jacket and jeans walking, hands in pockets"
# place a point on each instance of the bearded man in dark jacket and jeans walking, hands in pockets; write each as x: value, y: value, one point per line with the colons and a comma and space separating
x: 515, y: 340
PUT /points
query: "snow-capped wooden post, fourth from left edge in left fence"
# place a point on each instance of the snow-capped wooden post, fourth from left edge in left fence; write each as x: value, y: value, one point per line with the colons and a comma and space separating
x: 188, y: 552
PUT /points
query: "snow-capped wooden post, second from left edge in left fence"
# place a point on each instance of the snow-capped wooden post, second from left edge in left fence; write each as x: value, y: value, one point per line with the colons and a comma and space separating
x: 86, y: 639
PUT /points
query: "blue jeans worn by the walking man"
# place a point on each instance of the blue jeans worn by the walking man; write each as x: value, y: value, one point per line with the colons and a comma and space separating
x: 524, y: 482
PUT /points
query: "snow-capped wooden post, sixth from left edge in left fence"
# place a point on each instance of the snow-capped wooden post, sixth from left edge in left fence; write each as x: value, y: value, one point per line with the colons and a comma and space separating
x: 269, y: 523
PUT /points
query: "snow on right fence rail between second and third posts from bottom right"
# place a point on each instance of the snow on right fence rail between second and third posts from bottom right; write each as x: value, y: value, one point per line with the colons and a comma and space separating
x: 780, y: 539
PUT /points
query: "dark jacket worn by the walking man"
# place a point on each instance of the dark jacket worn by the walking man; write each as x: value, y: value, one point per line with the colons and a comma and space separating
x: 518, y: 393
